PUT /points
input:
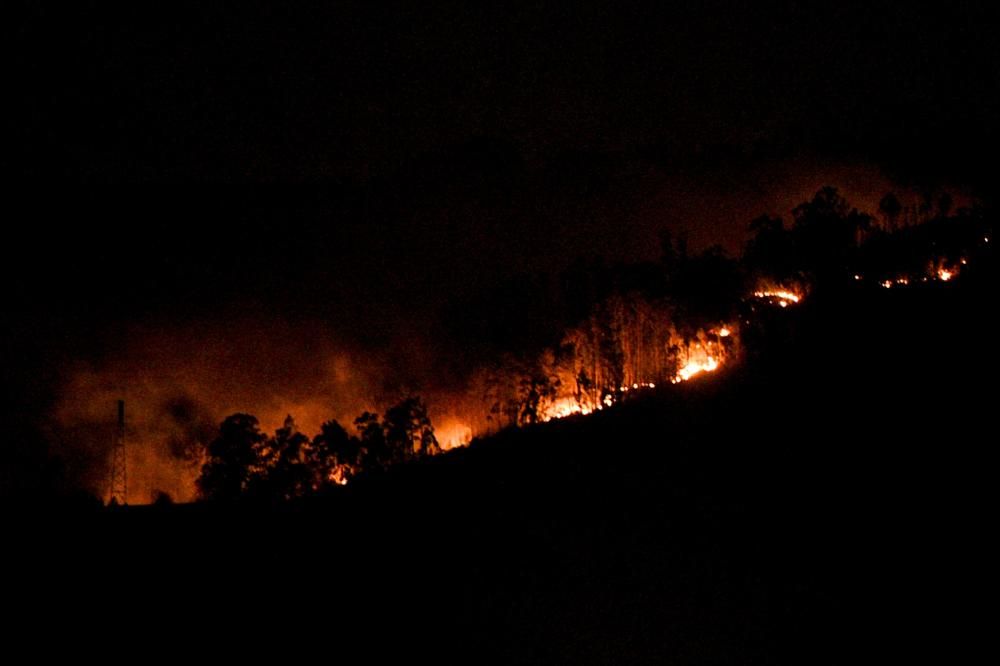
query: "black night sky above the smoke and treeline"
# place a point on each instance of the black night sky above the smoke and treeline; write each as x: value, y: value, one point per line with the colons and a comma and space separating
x: 341, y: 175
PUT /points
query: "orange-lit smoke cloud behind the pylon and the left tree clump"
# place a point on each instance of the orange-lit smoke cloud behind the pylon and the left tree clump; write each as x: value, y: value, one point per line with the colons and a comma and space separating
x: 178, y: 384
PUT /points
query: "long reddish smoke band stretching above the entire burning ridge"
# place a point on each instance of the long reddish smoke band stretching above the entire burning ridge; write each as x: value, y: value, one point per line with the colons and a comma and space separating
x: 181, y: 376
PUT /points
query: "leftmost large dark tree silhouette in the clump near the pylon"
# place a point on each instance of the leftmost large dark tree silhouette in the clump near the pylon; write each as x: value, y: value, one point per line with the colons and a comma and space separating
x: 234, y: 458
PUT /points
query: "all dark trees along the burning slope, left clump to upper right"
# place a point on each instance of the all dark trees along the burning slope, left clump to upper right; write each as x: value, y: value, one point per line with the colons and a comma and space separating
x: 613, y: 326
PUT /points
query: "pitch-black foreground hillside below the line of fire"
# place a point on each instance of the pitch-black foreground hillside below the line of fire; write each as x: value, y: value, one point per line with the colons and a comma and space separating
x: 828, y: 502
